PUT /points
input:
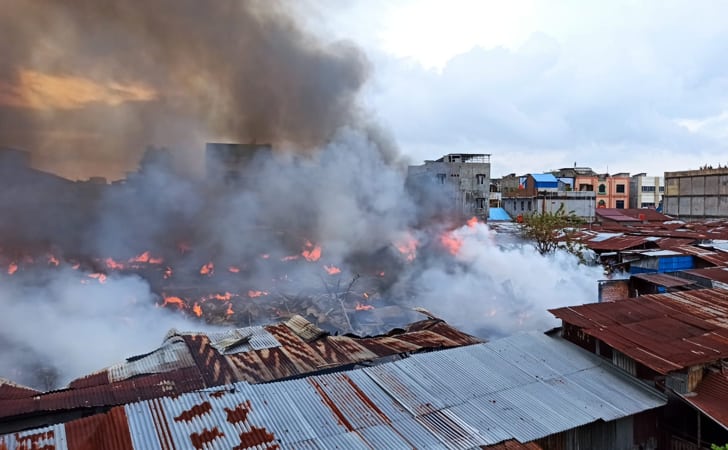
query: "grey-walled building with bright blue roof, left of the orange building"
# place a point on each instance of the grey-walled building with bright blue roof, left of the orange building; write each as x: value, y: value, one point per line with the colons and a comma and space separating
x: 544, y: 193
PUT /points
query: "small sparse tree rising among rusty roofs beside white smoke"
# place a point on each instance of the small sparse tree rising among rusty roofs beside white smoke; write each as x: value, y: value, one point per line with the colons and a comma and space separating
x: 551, y: 230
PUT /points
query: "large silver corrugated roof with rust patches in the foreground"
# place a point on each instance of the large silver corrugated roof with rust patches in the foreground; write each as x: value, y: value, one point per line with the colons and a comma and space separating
x: 410, y: 403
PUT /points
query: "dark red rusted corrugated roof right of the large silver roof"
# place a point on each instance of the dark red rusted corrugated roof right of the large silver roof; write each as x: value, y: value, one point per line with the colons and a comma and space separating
x: 665, y: 332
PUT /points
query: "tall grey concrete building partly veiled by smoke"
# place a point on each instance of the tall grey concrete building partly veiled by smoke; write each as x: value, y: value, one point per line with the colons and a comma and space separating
x: 459, y: 183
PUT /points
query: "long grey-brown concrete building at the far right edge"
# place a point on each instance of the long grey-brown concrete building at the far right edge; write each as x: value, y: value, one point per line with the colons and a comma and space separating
x: 696, y: 194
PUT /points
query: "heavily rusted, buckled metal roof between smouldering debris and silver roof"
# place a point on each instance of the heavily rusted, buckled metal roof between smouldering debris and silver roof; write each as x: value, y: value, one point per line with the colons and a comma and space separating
x: 190, y: 361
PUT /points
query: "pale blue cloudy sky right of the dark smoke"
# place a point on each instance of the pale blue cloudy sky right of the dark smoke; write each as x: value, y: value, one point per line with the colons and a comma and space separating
x: 619, y: 86
